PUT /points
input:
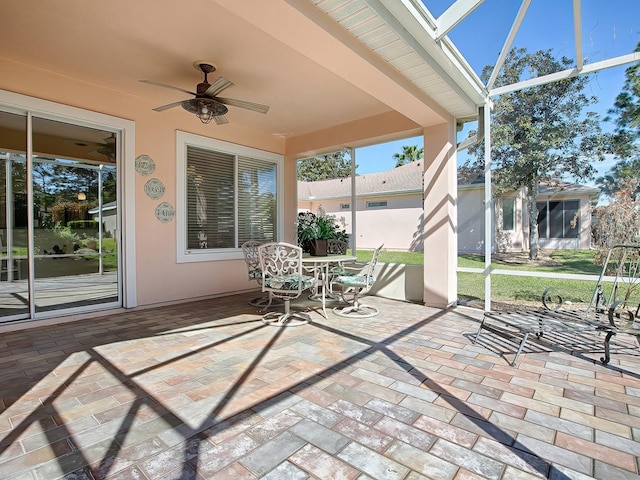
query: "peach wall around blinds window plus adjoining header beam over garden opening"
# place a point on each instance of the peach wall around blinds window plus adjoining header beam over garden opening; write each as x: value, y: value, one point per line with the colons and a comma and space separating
x: 158, y: 277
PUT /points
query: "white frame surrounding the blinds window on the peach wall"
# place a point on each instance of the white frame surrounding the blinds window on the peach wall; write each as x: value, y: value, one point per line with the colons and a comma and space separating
x: 185, y: 139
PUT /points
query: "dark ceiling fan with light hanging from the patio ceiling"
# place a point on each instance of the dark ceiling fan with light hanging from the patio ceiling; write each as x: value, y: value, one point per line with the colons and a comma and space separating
x: 207, y: 105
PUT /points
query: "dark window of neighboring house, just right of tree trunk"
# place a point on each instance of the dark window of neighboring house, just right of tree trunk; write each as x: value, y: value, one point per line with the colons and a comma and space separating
x: 559, y: 219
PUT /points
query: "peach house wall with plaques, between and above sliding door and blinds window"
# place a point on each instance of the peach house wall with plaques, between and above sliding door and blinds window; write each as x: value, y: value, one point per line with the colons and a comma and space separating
x: 158, y: 277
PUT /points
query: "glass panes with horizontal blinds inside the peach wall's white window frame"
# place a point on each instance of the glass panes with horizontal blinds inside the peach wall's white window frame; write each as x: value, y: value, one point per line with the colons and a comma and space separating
x: 230, y: 199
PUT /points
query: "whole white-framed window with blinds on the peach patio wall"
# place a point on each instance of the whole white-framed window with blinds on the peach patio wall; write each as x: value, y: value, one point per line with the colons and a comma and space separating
x: 230, y: 196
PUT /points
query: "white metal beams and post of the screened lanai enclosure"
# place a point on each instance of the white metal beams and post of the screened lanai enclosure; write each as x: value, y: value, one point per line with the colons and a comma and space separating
x: 444, y: 24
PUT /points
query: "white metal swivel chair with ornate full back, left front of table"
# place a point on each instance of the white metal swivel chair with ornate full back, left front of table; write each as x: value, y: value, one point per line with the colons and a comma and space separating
x: 282, y: 277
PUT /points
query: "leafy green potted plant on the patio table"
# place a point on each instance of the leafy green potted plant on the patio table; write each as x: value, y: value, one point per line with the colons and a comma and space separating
x: 314, y: 231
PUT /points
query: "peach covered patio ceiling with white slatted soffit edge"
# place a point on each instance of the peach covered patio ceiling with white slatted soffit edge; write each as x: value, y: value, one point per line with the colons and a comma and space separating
x: 317, y: 64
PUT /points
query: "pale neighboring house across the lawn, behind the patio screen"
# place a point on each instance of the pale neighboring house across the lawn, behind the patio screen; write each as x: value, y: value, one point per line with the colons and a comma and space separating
x: 389, y: 210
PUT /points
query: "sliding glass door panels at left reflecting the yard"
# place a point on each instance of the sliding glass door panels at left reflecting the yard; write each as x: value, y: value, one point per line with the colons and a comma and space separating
x: 65, y: 259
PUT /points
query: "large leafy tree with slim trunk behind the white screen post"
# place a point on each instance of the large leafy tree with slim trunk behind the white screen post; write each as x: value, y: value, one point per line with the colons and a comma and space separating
x: 540, y: 134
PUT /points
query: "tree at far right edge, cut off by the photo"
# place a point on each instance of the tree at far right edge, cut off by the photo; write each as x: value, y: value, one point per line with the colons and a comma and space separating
x: 626, y: 115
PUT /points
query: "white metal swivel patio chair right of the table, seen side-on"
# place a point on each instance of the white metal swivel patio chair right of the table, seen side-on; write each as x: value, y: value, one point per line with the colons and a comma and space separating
x: 354, y: 280
